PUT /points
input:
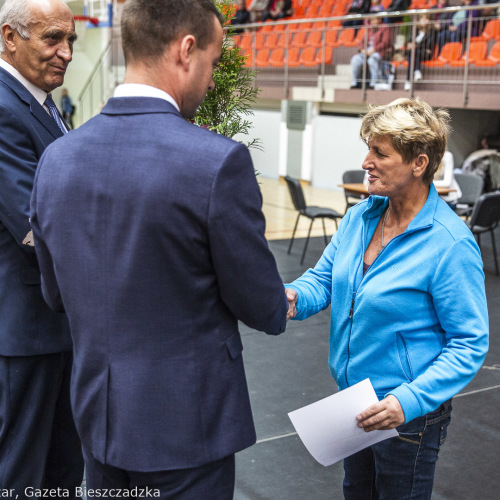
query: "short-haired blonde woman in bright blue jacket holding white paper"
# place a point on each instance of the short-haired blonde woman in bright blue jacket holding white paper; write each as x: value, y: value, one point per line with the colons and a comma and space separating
x: 404, y: 279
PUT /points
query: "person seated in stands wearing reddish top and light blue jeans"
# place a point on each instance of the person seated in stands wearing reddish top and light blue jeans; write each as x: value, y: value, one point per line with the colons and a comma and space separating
x: 378, y: 49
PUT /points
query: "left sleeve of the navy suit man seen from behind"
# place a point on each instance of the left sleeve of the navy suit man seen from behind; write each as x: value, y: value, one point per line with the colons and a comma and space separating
x: 50, y: 288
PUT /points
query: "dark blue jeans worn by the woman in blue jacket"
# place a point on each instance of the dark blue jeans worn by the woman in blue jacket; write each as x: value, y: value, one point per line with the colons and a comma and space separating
x: 402, y: 467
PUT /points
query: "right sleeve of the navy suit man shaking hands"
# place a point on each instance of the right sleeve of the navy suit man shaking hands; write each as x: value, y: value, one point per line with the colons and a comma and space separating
x: 246, y: 271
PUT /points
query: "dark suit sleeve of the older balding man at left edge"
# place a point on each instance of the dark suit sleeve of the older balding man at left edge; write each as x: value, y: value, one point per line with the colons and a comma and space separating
x: 17, y: 169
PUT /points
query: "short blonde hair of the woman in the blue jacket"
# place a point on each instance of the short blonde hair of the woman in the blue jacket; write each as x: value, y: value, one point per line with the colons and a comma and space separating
x: 414, y: 128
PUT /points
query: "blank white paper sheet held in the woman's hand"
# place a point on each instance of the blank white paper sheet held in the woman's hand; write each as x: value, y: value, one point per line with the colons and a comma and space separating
x: 329, y: 429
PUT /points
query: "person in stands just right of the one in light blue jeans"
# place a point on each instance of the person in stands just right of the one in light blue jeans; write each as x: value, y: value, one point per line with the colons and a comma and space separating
x: 423, y: 47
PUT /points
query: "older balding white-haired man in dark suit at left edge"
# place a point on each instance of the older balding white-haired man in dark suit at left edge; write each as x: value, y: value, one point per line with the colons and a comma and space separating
x: 39, y: 446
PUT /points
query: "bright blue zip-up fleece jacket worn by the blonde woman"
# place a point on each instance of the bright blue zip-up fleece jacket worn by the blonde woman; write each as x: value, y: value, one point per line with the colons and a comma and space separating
x: 416, y: 324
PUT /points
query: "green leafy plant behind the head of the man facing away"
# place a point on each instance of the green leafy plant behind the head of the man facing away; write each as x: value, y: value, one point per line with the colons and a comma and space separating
x: 226, y: 108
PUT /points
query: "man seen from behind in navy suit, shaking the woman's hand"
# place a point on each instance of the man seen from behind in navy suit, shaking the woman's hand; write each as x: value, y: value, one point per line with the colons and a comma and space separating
x: 150, y: 236
